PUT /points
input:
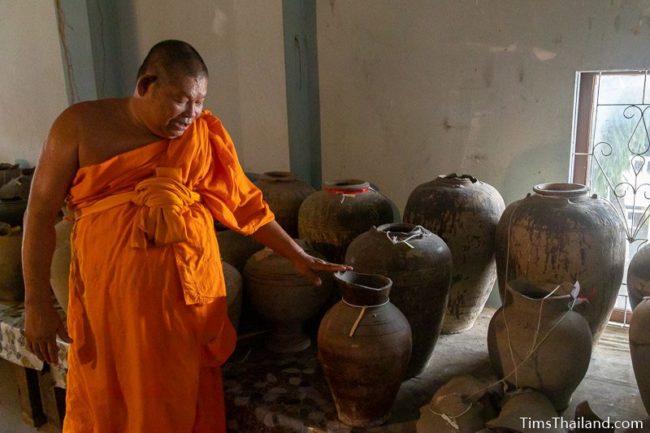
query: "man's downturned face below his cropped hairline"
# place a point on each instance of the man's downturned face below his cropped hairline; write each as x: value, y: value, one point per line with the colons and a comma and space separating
x: 173, y: 103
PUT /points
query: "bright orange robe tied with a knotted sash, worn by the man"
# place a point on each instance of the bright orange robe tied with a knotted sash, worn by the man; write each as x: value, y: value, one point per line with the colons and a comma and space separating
x: 147, y: 308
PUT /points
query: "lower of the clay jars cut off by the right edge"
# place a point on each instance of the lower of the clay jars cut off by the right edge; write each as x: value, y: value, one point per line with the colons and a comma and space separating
x: 640, y: 349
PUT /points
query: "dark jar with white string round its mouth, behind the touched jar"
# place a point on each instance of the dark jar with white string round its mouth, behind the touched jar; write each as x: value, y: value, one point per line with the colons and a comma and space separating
x: 419, y: 264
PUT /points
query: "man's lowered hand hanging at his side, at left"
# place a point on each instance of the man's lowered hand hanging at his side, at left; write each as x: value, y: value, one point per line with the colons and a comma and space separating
x: 42, y: 325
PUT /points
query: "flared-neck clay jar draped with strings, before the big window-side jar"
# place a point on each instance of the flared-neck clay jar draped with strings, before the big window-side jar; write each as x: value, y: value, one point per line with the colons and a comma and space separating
x: 549, y: 343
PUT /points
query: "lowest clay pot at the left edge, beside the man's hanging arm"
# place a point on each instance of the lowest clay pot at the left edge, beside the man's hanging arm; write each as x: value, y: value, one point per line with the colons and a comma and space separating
x: 11, y: 278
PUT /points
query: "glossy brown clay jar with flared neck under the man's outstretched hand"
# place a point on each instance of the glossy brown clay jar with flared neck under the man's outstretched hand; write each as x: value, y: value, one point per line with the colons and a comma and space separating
x: 364, y: 344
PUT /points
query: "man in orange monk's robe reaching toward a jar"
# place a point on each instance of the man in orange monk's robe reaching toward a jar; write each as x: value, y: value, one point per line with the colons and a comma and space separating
x: 144, y: 176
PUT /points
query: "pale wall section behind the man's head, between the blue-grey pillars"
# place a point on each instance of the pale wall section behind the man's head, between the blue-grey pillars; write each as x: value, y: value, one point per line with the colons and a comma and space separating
x: 242, y: 44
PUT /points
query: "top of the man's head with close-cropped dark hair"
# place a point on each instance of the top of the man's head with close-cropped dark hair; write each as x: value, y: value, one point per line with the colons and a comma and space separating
x: 173, y: 58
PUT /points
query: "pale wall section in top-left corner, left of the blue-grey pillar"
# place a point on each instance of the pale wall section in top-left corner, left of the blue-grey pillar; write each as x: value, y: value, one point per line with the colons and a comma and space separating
x: 32, y: 84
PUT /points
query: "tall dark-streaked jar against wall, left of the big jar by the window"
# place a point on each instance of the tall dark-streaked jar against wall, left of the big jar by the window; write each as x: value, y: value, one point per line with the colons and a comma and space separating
x: 464, y: 212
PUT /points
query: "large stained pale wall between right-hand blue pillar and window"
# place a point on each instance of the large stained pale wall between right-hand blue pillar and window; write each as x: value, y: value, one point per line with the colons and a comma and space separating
x: 410, y: 90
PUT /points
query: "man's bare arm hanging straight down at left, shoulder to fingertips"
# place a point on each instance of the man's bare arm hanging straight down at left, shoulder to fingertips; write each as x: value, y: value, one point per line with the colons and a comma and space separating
x: 55, y: 170
